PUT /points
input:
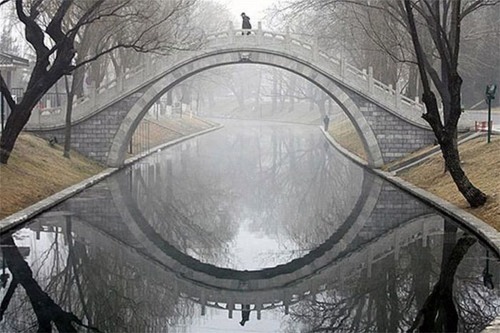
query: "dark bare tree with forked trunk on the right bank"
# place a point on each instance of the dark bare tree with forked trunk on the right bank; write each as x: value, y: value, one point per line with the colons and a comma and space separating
x: 443, y: 20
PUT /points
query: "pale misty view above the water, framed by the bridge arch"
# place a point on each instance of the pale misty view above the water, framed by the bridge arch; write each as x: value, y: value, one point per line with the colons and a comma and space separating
x: 252, y: 91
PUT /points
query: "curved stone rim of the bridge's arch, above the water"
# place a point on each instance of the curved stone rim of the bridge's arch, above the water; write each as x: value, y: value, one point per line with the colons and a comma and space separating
x: 263, y: 55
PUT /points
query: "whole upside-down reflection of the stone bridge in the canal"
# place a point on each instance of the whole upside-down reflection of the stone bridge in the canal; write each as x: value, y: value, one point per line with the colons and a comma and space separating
x: 365, y: 238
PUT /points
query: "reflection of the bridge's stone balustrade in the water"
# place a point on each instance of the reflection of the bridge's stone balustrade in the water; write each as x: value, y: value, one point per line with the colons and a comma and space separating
x: 335, y: 272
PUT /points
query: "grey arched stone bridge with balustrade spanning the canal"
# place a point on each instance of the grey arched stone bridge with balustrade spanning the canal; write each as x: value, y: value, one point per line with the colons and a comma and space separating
x: 389, y: 124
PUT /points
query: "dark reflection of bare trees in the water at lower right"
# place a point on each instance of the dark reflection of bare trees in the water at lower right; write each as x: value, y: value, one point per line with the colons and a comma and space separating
x: 393, y: 298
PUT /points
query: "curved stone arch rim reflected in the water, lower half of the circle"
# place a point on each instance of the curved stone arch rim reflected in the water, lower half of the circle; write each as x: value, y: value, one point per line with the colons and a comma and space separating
x: 252, y: 282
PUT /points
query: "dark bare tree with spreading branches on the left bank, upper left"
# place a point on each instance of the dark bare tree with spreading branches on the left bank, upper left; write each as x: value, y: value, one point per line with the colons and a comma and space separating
x: 52, y: 28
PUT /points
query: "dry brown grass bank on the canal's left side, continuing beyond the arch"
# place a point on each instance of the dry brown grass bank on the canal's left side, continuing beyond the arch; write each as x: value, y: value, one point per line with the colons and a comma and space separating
x: 37, y: 169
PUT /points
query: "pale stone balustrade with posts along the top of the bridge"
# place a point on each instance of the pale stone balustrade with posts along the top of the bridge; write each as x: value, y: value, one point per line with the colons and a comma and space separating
x: 155, y: 67
